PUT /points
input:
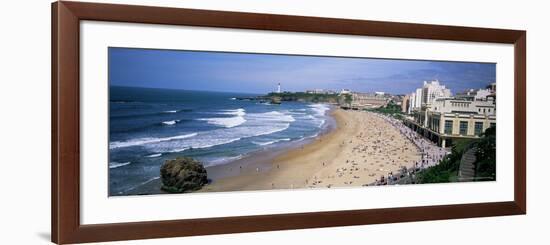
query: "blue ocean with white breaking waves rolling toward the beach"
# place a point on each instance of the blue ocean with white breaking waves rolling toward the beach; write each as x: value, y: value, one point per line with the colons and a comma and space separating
x: 148, y: 126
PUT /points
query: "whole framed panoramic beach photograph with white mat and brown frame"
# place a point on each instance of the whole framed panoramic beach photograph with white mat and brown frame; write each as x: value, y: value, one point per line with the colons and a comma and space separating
x: 177, y: 122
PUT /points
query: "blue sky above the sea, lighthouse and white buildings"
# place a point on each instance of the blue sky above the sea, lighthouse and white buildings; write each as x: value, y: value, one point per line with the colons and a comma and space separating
x: 260, y: 73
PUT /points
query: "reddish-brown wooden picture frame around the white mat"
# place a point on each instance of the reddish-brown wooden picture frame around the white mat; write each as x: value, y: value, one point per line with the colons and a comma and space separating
x: 65, y: 171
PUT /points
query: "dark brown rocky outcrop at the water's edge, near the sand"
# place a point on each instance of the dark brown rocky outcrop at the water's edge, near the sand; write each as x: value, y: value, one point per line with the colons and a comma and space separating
x: 183, y: 174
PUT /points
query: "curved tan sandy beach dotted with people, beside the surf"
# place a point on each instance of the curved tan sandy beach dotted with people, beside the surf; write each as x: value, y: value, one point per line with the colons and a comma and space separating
x: 362, y: 148
